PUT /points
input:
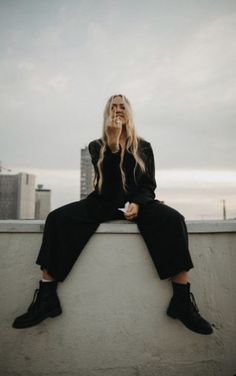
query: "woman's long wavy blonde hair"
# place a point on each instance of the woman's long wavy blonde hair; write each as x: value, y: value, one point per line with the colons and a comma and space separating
x: 131, y: 142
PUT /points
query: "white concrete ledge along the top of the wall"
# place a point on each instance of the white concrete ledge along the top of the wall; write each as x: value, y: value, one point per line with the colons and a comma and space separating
x: 121, y: 227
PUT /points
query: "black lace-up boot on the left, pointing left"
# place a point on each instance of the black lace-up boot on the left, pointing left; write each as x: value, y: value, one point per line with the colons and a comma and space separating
x: 45, y: 304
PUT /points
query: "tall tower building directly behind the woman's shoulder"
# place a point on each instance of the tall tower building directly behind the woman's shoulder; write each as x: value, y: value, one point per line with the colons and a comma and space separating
x: 87, y: 173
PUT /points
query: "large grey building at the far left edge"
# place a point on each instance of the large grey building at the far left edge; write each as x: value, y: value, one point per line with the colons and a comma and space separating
x: 17, y: 196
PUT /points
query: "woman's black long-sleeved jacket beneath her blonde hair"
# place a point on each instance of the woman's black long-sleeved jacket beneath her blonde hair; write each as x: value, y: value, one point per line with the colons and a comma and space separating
x: 140, y: 189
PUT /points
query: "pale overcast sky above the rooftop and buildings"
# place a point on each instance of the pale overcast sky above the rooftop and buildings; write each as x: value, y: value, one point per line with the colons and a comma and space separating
x: 175, y: 60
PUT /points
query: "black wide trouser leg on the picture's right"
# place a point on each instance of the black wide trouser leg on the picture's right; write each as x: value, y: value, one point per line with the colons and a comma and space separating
x: 165, y: 234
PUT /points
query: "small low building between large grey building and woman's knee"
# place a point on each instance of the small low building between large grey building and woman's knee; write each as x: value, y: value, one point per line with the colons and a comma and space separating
x: 42, y: 202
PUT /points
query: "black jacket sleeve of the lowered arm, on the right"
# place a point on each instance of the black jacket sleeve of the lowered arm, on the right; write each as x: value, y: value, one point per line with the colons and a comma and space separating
x: 146, y: 185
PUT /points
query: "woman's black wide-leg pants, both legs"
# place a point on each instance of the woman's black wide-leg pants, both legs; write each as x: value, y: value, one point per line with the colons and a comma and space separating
x: 68, y: 229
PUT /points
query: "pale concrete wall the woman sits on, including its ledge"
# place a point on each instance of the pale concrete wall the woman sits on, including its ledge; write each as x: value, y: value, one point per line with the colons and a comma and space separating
x: 114, y: 321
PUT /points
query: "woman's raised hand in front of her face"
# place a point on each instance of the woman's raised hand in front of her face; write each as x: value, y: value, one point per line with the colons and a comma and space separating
x: 113, y: 131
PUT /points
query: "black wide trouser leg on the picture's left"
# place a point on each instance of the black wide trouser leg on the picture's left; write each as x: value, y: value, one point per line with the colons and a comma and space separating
x: 67, y: 230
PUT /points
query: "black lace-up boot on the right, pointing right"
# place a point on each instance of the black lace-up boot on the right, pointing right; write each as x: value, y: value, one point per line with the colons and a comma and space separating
x: 183, y: 307
